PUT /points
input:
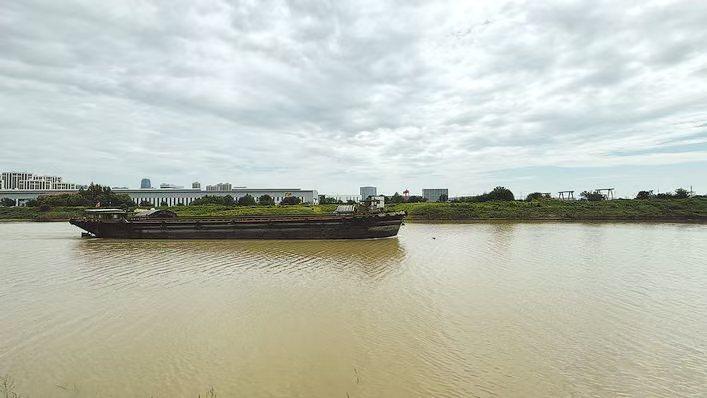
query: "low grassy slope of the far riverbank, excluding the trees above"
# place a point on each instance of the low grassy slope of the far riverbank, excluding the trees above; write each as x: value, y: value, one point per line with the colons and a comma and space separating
x: 675, y: 210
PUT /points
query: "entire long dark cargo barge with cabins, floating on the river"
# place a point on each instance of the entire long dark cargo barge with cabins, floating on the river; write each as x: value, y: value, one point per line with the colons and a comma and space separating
x: 353, y: 222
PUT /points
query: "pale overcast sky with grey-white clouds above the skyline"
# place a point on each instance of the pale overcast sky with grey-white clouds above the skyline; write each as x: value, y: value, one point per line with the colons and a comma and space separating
x: 536, y: 96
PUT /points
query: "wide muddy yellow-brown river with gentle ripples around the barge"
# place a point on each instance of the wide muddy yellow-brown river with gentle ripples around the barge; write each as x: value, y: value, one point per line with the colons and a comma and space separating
x: 444, y: 310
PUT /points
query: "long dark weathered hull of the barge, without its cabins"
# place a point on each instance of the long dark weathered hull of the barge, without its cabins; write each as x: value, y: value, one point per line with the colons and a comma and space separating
x: 325, y: 227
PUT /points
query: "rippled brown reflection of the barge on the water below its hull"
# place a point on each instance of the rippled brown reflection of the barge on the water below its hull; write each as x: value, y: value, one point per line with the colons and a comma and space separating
x: 373, y: 258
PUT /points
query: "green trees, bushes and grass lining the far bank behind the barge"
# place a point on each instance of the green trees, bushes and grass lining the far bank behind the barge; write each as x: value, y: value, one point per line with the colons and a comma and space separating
x: 499, y: 204
